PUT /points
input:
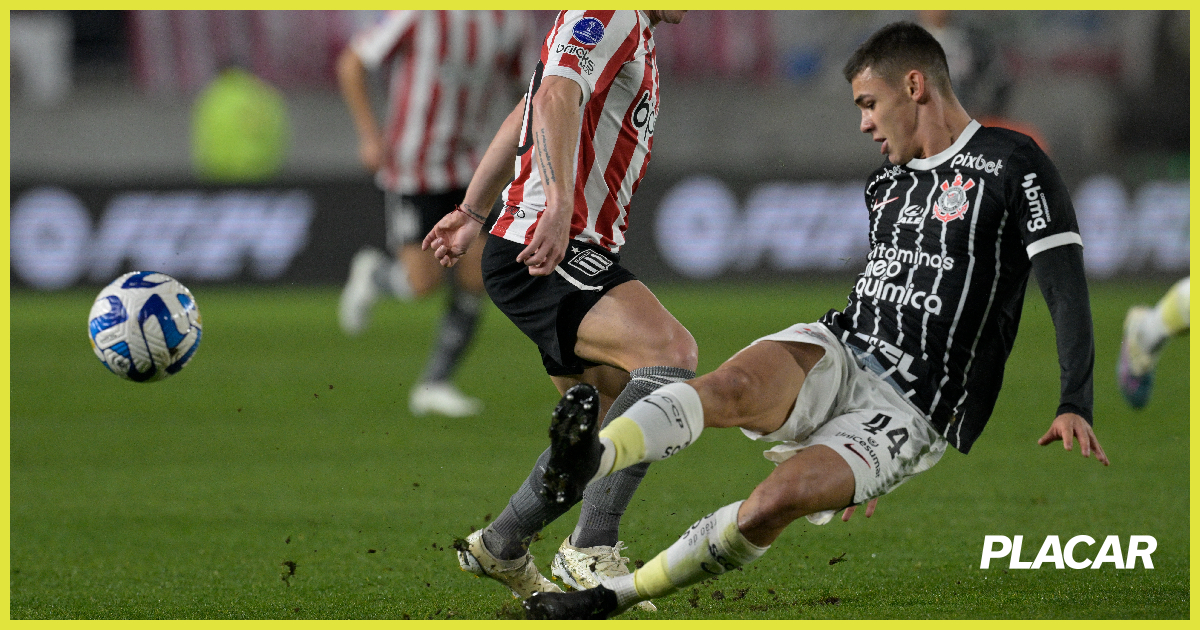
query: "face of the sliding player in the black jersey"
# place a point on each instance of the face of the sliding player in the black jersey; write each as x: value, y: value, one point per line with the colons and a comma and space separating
x: 890, y: 116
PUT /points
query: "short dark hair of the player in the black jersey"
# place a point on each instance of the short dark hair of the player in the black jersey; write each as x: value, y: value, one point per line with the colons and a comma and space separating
x: 896, y: 50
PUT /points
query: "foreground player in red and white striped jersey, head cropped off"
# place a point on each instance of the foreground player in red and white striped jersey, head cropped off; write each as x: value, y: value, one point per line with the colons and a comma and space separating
x: 578, y: 146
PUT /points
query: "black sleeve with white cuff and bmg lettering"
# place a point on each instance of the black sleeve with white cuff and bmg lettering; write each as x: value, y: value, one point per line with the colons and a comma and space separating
x: 1041, y: 202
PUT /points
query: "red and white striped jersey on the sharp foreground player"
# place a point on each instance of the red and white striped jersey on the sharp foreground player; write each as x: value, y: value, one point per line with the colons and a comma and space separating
x: 611, y: 56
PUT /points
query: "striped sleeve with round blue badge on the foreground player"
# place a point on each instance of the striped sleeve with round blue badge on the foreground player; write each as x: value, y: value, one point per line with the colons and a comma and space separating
x: 591, y: 46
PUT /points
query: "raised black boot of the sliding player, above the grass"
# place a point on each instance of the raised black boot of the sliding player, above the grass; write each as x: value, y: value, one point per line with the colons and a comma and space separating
x: 575, y: 449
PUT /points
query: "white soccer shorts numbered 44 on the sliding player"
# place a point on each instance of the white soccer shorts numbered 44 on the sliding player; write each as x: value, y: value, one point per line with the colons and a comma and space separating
x: 884, y: 437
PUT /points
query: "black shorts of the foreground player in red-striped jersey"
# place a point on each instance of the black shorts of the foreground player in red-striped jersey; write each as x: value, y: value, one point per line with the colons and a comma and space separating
x: 549, y: 309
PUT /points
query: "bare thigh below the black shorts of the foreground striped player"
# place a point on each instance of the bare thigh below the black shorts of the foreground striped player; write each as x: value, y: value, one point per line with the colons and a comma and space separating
x: 631, y: 329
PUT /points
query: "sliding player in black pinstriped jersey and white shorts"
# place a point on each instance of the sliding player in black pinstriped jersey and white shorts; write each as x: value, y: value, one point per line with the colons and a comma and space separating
x: 869, y: 397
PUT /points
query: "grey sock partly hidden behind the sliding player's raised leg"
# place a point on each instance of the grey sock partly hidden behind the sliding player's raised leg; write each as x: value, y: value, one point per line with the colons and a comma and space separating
x: 605, y: 501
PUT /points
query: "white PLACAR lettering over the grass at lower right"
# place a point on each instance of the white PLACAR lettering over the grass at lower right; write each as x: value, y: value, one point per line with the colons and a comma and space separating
x: 1060, y: 556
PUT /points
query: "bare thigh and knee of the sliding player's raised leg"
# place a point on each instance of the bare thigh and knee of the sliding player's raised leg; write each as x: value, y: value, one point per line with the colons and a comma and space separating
x: 758, y: 387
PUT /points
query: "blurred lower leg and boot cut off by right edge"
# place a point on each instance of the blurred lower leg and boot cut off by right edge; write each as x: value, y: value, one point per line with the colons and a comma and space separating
x: 1147, y: 332
